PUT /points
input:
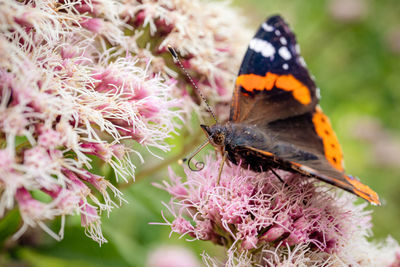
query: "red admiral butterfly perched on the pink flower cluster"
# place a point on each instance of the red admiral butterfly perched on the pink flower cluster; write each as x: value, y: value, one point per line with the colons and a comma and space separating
x: 275, y: 120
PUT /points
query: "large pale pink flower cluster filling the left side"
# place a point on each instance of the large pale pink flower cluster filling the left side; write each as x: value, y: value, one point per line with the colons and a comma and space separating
x: 67, y: 101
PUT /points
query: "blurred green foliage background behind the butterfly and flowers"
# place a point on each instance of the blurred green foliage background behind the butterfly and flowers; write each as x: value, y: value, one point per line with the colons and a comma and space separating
x: 353, y: 49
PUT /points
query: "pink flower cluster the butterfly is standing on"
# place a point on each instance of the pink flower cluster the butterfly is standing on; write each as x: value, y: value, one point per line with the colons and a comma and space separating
x: 262, y: 220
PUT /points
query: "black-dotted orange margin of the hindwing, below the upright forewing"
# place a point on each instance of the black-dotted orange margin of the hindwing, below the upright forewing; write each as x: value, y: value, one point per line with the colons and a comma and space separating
x: 333, y: 151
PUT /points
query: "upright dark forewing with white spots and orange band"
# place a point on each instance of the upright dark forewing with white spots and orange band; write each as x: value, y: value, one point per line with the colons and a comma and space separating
x: 273, y: 82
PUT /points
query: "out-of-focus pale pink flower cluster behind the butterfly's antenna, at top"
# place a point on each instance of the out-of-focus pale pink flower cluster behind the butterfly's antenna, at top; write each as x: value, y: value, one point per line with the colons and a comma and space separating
x: 208, y: 36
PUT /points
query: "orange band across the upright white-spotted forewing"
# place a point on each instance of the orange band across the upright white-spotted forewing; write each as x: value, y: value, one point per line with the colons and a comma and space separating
x: 253, y: 82
